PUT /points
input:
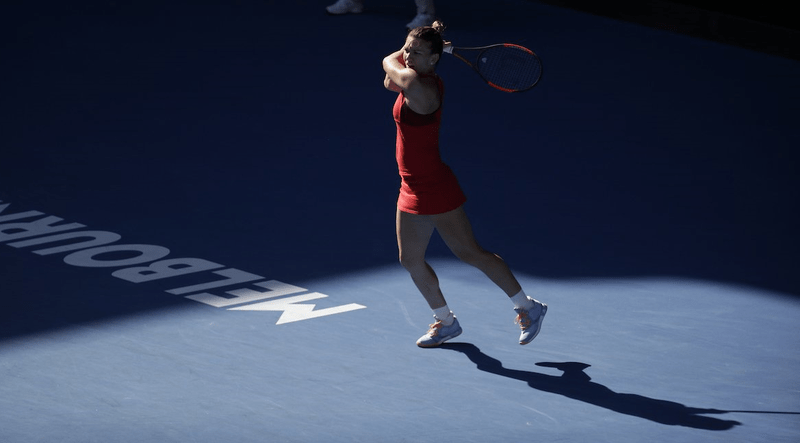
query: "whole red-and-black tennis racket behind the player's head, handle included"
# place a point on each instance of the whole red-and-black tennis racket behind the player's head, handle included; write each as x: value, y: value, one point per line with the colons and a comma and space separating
x: 506, y: 66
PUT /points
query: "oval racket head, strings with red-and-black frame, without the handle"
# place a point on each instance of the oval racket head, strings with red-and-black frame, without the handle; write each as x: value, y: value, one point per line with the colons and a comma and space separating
x: 509, y: 67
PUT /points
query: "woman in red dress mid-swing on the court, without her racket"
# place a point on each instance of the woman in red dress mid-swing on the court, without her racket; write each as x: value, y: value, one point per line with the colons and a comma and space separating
x: 430, y: 196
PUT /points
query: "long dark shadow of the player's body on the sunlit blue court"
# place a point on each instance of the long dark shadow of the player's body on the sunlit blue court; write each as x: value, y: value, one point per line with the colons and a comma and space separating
x: 576, y: 384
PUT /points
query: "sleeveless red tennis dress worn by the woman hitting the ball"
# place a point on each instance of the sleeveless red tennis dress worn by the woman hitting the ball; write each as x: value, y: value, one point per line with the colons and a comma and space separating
x: 428, y: 185
